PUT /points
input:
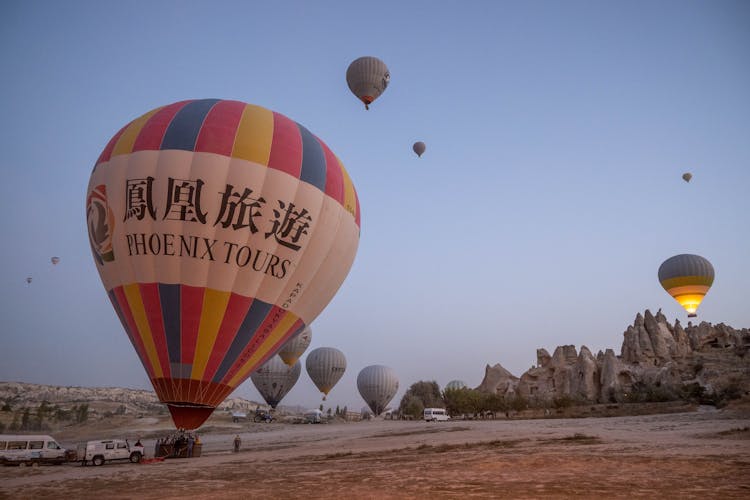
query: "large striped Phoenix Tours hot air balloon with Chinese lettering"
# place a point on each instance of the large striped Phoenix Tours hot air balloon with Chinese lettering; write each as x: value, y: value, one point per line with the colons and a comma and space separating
x: 220, y: 229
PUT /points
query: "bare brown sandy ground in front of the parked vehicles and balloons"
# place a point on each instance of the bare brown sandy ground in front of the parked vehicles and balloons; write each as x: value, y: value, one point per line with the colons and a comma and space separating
x: 701, y: 454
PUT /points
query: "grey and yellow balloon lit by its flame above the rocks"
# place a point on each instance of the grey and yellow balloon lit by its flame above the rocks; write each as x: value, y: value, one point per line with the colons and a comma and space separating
x: 687, y: 278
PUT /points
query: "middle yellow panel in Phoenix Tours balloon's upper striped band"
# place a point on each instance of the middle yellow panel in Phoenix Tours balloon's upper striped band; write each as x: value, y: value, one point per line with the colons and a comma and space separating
x: 254, y: 135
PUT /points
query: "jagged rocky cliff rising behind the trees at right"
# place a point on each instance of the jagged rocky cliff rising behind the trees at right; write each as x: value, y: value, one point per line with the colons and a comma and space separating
x: 657, y: 361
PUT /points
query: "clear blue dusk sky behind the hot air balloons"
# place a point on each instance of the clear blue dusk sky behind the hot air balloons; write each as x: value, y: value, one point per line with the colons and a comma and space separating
x: 549, y: 194
